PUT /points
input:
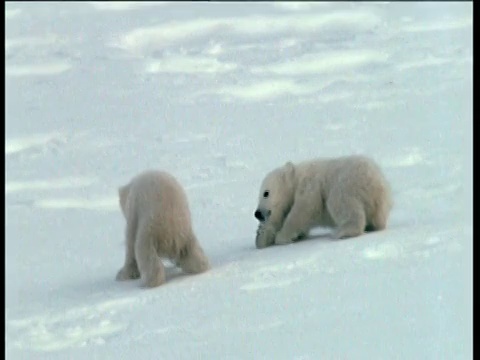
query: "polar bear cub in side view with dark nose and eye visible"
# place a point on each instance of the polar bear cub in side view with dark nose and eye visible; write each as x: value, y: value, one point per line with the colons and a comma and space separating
x: 348, y: 193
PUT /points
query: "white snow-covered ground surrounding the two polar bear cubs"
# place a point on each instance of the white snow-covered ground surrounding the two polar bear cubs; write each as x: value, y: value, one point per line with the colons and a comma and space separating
x: 218, y: 94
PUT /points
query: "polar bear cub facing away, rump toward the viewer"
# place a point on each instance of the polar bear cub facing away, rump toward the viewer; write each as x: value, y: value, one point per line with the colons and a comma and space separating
x: 158, y: 220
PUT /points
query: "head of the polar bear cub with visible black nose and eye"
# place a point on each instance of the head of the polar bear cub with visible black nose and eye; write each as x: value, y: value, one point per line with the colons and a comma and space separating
x: 276, y: 193
